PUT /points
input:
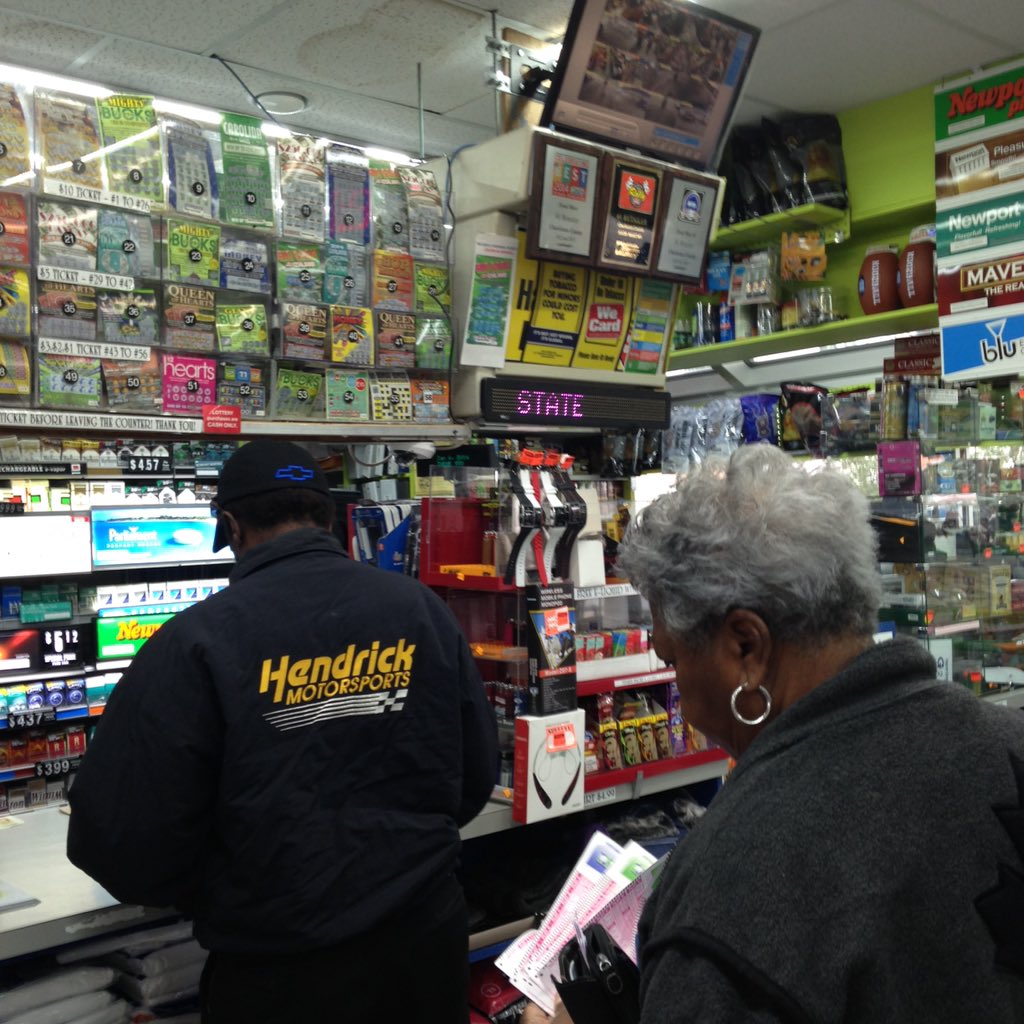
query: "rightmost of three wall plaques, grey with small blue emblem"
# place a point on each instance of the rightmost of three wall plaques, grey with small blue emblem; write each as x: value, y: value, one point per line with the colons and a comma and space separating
x: 690, y: 211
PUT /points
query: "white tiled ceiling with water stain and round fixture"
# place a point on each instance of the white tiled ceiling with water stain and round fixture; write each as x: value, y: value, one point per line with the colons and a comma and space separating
x: 357, y: 61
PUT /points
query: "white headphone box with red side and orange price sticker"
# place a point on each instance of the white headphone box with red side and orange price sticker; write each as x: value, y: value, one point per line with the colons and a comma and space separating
x: 548, y: 773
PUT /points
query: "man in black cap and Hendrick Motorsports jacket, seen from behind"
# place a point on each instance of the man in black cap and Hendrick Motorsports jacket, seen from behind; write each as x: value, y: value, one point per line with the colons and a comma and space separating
x: 289, y: 763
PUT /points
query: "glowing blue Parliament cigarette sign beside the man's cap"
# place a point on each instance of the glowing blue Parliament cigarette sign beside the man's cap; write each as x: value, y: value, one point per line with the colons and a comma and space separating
x: 157, y: 535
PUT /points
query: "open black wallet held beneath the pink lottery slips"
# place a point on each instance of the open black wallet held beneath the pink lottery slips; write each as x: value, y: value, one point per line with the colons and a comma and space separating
x: 600, y: 985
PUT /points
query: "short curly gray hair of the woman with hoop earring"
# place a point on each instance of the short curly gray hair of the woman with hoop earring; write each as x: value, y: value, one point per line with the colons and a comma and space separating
x: 758, y: 533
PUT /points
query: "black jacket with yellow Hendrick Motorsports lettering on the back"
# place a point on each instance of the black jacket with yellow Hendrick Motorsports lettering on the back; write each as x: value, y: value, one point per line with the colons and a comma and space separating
x: 289, y: 762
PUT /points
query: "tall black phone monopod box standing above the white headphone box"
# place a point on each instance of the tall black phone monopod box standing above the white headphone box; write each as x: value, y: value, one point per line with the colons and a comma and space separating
x: 551, y: 649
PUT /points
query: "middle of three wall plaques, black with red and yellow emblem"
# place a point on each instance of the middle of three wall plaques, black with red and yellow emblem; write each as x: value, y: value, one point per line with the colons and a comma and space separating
x: 630, y: 198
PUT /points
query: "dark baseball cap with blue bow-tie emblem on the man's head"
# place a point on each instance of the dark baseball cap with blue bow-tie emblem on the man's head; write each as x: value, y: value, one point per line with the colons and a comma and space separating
x: 262, y: 466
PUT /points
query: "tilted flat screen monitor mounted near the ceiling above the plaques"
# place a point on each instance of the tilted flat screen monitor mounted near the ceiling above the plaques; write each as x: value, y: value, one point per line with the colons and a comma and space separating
x: 663, y: 77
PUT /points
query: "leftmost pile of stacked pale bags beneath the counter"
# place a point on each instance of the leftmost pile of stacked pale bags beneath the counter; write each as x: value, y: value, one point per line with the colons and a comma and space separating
x: 68, y: 996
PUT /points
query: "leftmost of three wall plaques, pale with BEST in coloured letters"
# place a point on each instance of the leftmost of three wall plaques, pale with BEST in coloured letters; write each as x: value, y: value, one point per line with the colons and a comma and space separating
x: 565, y: 184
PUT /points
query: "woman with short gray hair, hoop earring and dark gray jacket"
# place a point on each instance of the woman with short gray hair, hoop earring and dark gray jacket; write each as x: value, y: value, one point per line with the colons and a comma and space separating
x: 865, y: 862
